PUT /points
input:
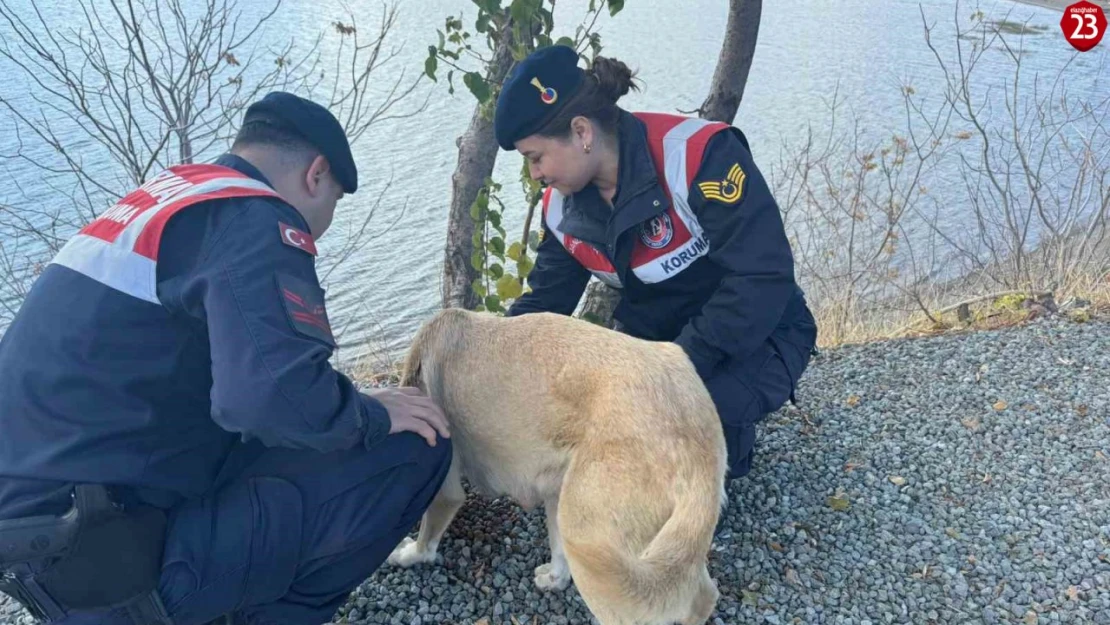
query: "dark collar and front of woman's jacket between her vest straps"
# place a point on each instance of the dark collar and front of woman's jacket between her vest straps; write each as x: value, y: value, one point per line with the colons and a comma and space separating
x: 639, y: 197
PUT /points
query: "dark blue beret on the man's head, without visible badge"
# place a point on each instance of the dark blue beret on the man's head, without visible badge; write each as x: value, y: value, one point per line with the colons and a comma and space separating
x: 316, y: 125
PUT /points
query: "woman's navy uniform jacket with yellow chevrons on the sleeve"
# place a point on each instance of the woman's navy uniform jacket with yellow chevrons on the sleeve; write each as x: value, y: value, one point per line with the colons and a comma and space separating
x: 722, y: 307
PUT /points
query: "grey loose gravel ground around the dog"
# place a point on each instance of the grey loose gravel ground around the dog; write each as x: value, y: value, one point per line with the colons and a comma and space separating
x: 958, y: 479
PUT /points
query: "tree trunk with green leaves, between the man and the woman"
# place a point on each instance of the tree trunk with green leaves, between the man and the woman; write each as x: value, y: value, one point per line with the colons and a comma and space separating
x: 478, y: 153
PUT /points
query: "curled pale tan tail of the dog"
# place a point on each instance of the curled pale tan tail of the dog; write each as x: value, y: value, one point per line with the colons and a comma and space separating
x: 674, y: 561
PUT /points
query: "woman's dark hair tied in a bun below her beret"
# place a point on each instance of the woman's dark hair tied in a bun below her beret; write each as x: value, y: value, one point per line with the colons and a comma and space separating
x: 606, y: 84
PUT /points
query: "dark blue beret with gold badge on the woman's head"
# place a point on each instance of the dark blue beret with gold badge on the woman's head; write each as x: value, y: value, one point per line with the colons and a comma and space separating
x: 534, y: 93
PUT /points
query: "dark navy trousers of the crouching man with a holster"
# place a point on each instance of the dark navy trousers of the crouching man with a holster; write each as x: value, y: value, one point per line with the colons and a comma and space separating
x: 290, y: 533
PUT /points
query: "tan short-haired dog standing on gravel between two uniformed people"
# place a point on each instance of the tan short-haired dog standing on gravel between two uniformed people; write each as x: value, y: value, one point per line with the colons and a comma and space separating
x: 618, y: 438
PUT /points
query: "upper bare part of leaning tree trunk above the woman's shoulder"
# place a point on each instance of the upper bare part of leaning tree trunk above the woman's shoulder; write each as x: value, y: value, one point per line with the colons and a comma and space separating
x: 735, y: 62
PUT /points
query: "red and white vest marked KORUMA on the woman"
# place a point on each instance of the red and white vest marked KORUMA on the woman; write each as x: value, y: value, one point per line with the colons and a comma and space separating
x: 672, y: 241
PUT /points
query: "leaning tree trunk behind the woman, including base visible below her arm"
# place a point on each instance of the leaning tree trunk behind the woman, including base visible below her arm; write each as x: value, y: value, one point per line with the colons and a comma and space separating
x: 725, y: 95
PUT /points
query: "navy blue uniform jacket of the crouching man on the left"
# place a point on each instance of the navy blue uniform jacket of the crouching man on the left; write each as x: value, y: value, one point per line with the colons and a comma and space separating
x: 100, y: 387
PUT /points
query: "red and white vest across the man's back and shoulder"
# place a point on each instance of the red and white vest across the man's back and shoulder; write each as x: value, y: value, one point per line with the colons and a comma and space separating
x: 119, y: 249
